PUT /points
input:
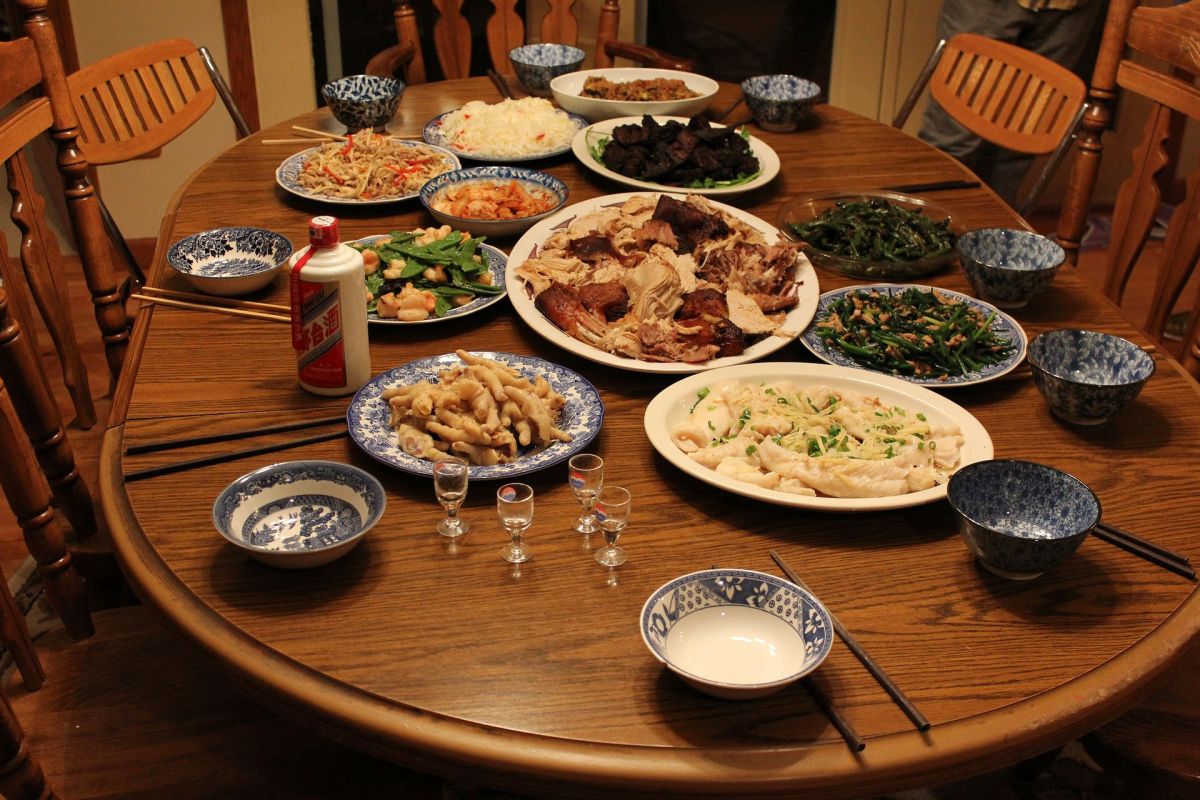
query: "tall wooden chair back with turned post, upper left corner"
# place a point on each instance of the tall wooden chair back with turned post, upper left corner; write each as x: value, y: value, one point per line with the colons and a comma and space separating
x: 33, y: 62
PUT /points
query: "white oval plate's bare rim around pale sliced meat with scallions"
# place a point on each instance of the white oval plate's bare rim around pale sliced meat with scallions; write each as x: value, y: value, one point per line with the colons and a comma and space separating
x: 674, y: 404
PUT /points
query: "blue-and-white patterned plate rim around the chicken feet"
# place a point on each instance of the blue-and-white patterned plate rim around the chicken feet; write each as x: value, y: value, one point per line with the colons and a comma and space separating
x: 369, y: 416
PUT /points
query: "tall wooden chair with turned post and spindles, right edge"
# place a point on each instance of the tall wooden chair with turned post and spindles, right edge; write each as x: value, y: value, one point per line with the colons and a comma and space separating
x: 1168, y: 35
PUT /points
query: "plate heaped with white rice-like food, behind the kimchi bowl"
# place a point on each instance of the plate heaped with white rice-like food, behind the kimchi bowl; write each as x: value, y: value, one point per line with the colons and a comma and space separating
x: 506, y: 133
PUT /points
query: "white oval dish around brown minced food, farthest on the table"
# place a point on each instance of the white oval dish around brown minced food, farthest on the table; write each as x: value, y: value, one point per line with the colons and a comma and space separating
x: 567, y: 91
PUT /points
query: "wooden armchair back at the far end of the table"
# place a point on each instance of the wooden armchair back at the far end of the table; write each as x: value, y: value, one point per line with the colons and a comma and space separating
x: 506, y: 31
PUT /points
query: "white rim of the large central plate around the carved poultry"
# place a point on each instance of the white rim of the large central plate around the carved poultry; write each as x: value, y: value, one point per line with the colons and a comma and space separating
x: 796, y: 322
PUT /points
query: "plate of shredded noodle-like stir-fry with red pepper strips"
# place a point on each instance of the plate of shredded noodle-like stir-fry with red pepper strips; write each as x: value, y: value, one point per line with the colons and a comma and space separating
x: 367, y: 170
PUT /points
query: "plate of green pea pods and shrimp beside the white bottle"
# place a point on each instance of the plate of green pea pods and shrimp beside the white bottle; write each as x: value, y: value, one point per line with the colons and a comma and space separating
x: 452, y: 276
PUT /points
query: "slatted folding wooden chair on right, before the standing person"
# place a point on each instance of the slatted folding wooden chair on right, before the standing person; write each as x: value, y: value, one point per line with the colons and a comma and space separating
x: 1006, y: 95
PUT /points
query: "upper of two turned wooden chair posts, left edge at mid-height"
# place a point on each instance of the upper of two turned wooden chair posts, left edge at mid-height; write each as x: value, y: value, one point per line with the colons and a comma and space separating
x: 40, y: 417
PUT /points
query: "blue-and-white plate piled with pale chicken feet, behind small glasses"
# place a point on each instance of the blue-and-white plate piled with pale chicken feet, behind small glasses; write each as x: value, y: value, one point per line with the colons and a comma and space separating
x: 560, y: 413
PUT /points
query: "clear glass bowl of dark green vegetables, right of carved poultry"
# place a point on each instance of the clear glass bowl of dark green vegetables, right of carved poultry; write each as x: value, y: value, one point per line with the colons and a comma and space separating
x: 873, y: 234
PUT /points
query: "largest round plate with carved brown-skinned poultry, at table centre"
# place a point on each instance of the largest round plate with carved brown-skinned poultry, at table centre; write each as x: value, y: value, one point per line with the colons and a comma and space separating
x: 659, y: 282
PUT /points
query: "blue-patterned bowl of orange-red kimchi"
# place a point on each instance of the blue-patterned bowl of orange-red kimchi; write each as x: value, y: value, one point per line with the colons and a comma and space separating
x: 494, y: 201
